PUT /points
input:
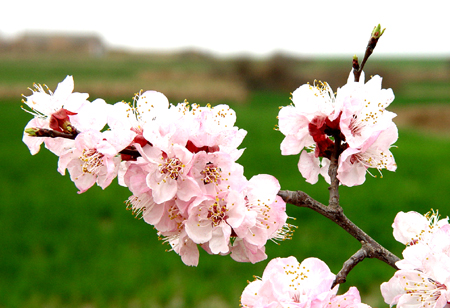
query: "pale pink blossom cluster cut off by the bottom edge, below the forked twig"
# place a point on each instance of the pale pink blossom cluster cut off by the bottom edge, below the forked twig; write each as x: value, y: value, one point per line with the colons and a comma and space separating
x: 288, y: 283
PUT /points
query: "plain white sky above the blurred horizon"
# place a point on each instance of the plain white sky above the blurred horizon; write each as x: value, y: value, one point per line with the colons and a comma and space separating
x: 339, y: 27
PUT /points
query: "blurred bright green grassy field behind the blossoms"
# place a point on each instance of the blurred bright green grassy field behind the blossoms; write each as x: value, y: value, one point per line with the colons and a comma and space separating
x: 61, y: 249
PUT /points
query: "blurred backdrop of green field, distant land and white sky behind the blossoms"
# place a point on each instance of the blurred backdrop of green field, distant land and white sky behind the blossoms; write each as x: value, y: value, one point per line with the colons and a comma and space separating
x: 61, y: 249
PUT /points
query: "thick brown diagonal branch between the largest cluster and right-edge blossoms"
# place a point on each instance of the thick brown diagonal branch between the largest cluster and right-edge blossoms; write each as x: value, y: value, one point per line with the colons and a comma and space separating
x: 336, y: 214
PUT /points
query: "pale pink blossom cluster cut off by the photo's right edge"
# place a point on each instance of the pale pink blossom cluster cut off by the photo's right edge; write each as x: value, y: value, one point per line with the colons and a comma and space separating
x: 423, y: 278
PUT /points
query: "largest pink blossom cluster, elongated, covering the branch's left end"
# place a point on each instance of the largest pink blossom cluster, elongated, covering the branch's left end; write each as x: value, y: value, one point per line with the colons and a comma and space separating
x: 179, y: 162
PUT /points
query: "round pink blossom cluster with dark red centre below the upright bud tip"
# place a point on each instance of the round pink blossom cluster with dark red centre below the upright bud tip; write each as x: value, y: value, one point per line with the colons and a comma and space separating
x: 355, y: 118
